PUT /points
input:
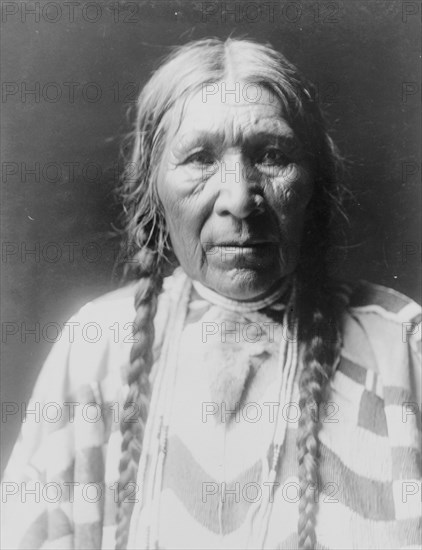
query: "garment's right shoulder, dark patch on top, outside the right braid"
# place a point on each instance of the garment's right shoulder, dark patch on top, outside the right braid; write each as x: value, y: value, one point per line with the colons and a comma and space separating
x: 382, y: 339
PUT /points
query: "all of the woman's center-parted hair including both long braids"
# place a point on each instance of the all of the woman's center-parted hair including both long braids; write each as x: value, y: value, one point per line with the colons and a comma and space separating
x: 181, y: 75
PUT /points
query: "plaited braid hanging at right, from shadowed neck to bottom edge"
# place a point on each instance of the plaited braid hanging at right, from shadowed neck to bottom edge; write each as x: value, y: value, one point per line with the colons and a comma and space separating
x: 321, y: 335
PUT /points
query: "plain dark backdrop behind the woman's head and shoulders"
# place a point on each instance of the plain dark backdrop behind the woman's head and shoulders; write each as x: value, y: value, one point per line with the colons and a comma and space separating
x: 364, y: 57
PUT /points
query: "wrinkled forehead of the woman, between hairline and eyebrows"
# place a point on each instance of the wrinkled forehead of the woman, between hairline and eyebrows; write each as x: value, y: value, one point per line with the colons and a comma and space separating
x: 232, y: 112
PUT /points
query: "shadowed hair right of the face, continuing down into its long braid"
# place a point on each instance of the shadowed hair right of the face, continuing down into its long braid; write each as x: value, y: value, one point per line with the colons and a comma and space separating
x: 320, y: 312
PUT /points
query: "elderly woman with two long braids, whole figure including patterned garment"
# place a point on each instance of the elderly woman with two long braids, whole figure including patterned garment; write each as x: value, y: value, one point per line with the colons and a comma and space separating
x: 255, y: 403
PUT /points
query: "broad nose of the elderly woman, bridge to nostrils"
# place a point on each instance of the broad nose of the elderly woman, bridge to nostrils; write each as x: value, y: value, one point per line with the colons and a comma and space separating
x: 239, y: 193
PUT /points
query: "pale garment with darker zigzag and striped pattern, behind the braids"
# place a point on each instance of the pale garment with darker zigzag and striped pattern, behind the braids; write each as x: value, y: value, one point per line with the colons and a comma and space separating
x: 60, y: 487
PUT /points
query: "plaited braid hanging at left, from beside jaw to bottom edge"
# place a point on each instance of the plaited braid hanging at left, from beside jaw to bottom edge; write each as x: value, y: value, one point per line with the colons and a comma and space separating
x: 141, y: 359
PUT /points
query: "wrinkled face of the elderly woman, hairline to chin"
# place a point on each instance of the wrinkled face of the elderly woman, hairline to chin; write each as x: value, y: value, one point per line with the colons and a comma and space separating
x: 234, y: 185
